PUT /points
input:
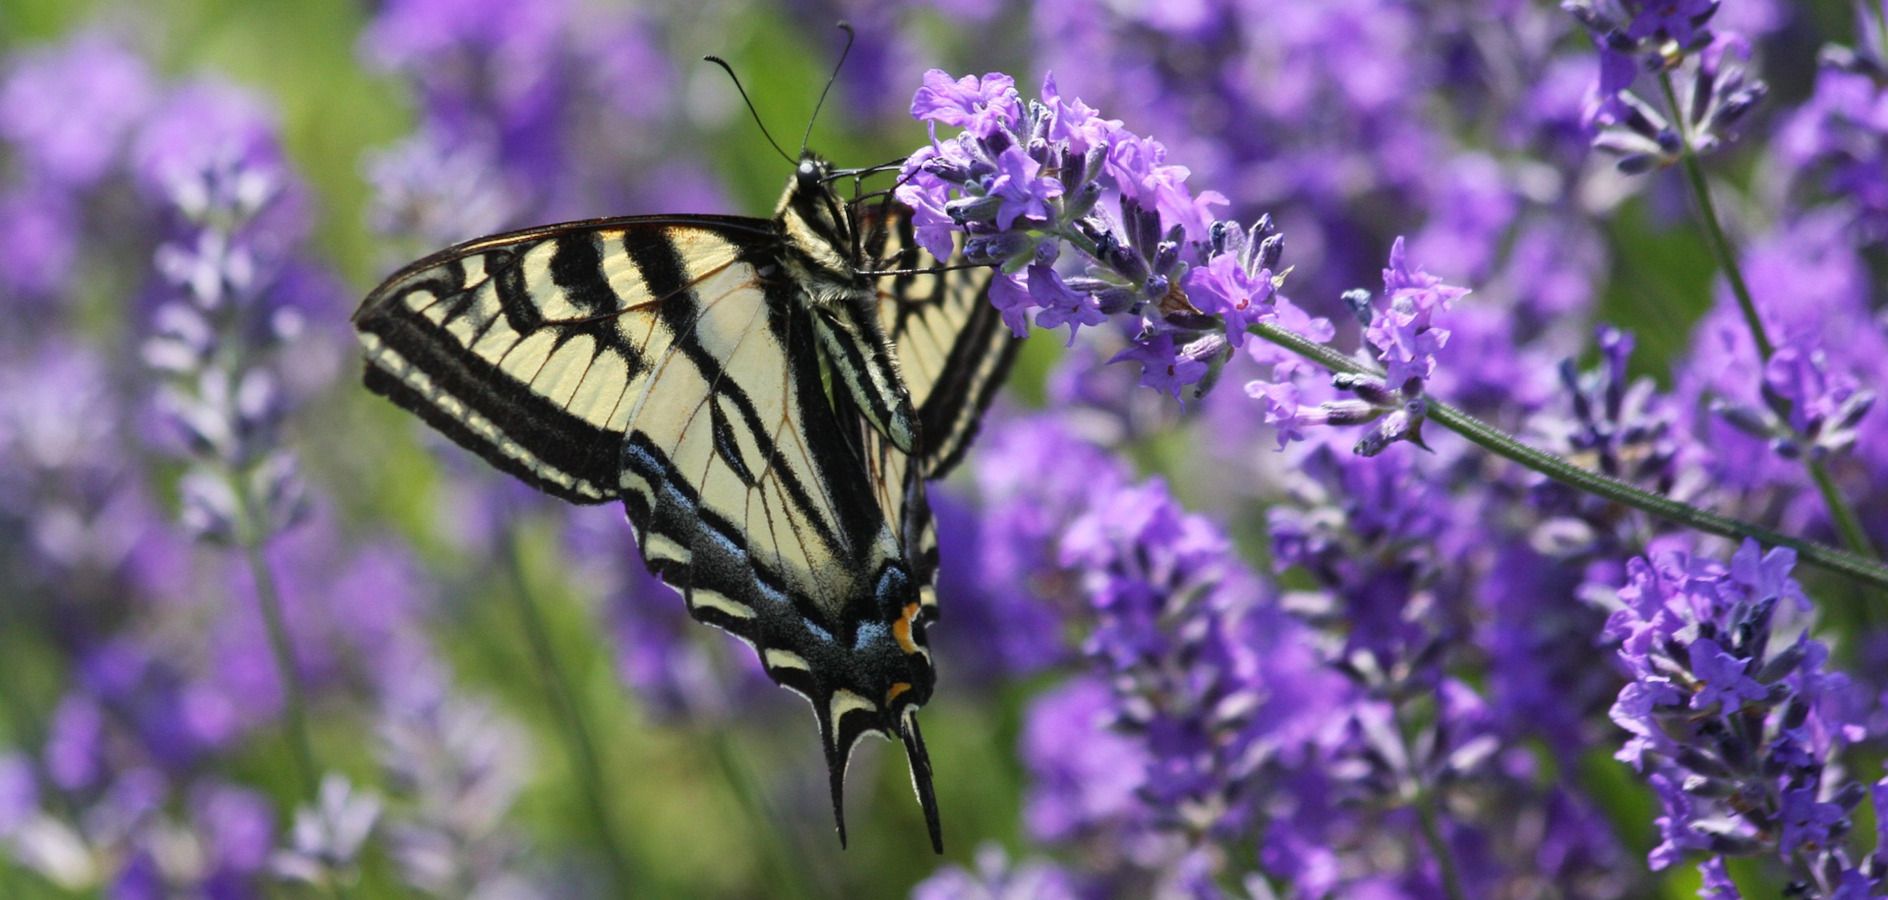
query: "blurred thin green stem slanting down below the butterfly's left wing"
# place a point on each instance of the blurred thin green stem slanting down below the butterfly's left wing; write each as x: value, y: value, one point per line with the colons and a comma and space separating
x: 577, y: 733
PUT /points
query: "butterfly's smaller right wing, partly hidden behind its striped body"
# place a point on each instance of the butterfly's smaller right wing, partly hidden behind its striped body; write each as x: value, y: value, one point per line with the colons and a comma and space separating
x: 952, y: 346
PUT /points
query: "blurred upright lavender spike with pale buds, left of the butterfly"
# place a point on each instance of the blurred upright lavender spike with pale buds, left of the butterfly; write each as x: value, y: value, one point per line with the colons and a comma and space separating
x: 212, y: 158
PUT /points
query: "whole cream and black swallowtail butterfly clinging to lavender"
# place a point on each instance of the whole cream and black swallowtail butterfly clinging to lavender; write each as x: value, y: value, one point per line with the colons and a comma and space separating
x: 766, y: 397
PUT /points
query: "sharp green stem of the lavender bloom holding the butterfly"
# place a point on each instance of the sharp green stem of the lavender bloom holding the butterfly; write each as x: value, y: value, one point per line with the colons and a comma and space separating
x: 1566, y: 473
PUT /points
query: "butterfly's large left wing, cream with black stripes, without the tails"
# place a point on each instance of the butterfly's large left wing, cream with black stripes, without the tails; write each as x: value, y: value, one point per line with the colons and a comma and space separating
x: 660, y: 361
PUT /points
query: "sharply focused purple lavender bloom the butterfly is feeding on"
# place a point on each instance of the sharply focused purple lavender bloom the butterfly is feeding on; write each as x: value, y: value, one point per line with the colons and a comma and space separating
x: 1022, y: 180
